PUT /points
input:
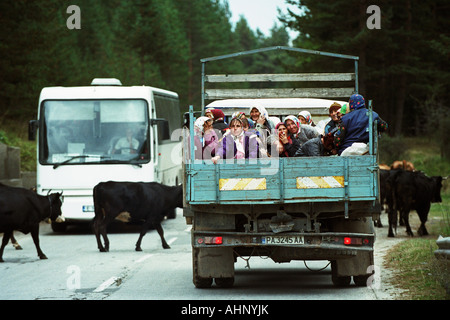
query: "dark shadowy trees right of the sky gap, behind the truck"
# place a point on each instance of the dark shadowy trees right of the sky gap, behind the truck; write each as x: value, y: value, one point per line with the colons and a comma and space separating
x: 403, y: 67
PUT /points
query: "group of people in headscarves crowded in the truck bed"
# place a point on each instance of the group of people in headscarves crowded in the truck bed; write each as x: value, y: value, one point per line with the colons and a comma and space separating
x: 258, y: 136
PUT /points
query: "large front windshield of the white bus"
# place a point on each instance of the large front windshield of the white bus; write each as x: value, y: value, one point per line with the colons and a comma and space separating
x: 94, y: 131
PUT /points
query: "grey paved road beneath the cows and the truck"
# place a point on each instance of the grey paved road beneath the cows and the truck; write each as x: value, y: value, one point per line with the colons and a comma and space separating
x: 76, y: 270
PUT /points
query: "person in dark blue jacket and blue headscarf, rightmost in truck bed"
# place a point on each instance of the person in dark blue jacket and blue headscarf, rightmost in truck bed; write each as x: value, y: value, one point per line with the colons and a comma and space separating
x: 354, y: 126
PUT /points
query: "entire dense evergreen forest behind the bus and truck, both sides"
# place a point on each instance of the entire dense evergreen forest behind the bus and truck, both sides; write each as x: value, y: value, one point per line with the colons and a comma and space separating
x: 404, y: 65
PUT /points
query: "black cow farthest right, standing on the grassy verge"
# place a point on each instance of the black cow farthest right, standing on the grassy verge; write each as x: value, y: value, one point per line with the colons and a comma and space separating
x: 415, y: 190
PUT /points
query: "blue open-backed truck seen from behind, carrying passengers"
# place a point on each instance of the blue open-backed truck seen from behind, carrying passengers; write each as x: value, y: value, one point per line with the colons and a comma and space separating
x: 298, y: 208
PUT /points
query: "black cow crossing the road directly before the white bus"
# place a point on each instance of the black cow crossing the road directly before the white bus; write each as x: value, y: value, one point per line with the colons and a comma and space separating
x: 147, y: 201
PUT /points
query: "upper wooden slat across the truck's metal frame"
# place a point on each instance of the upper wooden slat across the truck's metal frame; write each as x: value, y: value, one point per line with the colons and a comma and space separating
x: 280, y: 77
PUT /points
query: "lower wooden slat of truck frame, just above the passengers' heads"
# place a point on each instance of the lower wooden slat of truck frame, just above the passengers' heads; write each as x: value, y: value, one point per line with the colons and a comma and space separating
x: 213, y: 94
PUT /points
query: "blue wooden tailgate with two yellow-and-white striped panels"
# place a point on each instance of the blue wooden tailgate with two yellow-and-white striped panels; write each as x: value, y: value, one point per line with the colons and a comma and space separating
x: 282, y: 180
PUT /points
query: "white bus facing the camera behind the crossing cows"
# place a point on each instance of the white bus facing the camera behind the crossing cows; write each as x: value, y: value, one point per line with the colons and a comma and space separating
x: 103, y: 132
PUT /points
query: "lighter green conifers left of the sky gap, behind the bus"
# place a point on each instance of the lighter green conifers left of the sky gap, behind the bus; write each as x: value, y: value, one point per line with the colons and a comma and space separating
x: 142, y: 42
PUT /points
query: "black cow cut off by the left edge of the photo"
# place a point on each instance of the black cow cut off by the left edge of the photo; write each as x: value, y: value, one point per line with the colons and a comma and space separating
x: 23, y: 210
